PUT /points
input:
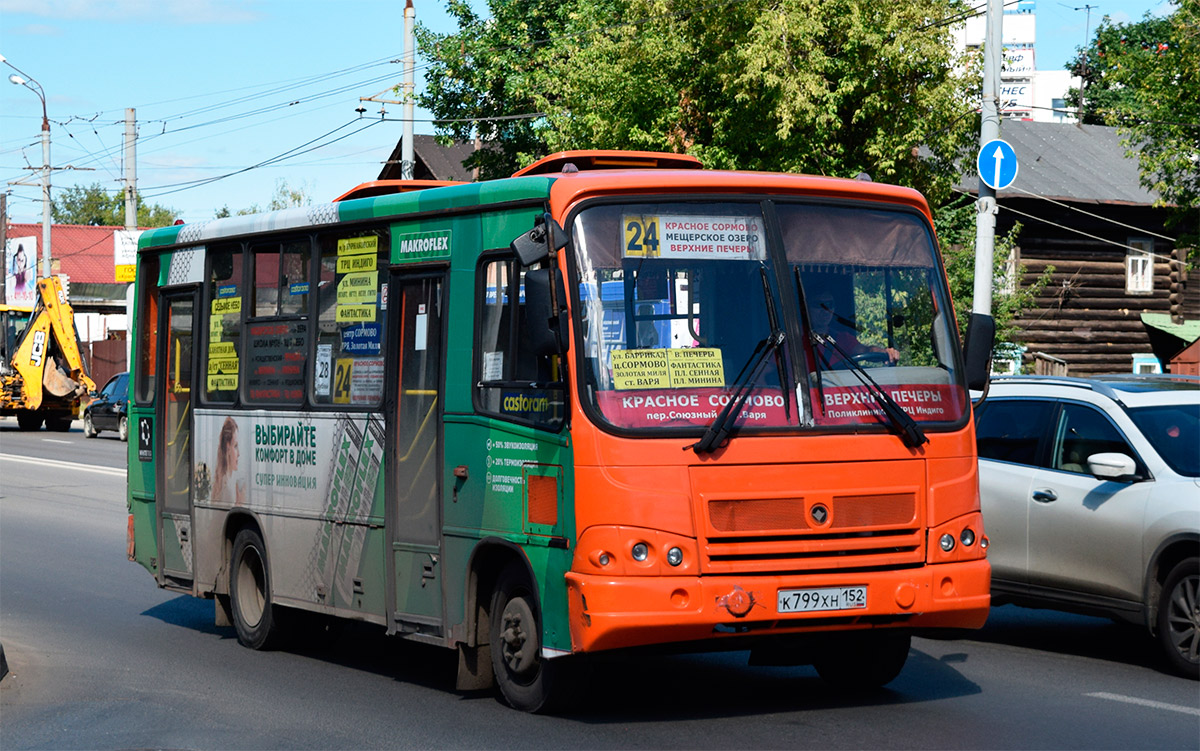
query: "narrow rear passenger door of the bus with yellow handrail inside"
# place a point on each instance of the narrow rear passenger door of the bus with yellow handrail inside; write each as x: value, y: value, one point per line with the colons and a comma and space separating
x: 173, y: 414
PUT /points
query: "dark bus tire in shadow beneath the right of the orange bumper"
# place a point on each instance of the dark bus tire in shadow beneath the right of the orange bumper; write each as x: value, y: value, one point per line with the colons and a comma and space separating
x: 865, y: 660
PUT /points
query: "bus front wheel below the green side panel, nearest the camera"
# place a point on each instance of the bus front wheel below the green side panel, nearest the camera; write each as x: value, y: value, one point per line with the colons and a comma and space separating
x: 527, y: 681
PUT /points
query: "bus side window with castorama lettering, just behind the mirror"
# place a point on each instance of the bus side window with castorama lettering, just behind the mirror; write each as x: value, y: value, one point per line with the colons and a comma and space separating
x: 514, y: 382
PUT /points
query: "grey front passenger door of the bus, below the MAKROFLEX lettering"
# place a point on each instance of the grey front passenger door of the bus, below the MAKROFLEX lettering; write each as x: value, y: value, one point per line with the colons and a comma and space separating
x: 415, y: 459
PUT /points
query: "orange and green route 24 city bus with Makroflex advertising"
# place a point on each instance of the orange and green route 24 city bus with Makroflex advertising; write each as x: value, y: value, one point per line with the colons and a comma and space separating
x: 615, y: 401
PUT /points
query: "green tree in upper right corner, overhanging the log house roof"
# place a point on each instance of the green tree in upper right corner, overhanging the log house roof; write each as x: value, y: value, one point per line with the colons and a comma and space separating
x: 1144, y: 77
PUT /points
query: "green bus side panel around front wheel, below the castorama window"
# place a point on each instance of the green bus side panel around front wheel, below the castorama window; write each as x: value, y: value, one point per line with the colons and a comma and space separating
x: 493, y: 503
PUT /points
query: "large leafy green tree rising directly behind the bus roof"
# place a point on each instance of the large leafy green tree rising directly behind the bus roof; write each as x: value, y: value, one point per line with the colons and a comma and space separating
x: 821, y: 87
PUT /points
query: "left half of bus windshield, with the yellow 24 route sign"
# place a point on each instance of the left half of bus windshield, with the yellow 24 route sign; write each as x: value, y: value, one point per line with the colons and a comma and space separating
x: 680, y: 310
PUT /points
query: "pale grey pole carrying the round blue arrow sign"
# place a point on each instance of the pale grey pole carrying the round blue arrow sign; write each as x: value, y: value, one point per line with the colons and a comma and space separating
x: 989, y: 130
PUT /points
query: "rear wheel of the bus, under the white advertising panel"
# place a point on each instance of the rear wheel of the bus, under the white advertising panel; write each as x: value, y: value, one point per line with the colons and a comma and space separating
x: 250, y: 592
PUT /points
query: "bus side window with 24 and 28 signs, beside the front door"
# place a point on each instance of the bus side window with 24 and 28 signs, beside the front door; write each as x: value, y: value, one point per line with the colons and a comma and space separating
x: 352, y: 293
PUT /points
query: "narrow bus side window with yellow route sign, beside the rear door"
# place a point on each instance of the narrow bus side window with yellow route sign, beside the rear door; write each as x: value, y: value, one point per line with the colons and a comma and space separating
x: 224, y: 305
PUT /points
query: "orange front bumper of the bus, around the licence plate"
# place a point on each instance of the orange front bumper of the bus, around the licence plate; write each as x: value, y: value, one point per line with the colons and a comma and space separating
x: 610, y: 612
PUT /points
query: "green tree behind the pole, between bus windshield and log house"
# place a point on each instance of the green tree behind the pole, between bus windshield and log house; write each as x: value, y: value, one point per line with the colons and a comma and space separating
x: 956, y: 225
